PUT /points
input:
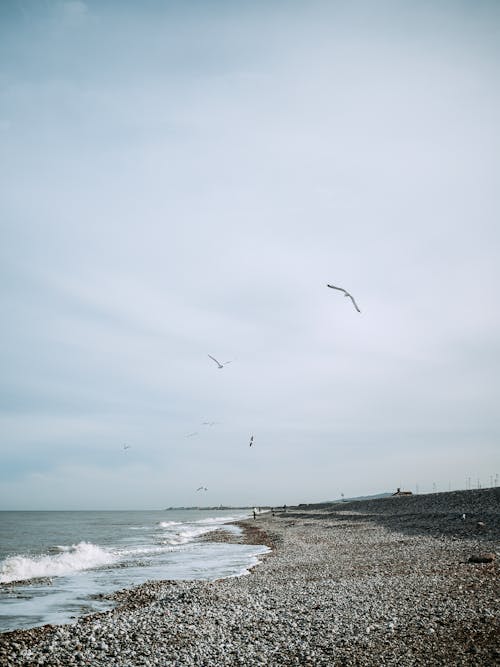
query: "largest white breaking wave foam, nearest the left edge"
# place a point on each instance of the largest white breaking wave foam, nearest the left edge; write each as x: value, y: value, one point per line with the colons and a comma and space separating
x: 70, y: 559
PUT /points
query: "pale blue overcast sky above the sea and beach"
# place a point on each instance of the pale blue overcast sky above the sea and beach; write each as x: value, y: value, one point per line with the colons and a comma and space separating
x: 184, y: 178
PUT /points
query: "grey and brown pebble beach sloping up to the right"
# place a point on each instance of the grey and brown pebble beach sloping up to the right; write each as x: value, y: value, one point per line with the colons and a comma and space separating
x: 393, y: 581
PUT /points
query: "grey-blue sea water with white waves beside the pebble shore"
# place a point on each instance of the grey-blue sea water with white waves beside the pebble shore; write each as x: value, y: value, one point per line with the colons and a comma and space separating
x: 65, y: 560
